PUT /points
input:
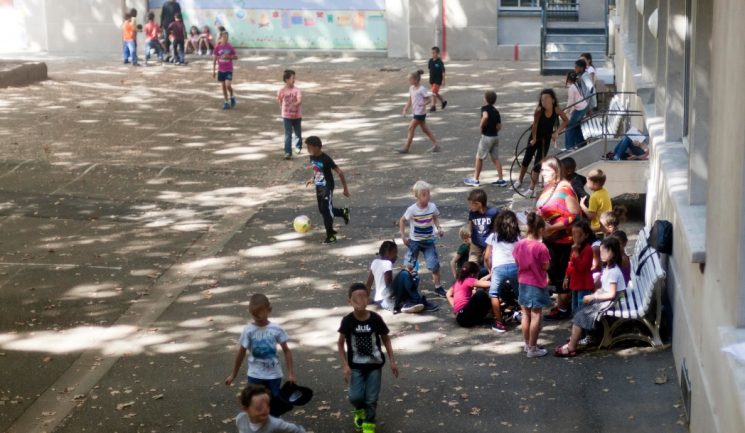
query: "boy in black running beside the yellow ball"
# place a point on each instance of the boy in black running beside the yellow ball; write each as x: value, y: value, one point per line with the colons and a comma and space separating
x: 323, y: 178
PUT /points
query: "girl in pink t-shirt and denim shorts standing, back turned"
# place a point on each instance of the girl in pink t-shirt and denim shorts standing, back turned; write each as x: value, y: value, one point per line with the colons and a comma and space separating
x: 532, y: 259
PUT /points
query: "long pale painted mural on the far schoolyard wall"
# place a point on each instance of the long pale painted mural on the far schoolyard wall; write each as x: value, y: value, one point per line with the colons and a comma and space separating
x: 291, y: 24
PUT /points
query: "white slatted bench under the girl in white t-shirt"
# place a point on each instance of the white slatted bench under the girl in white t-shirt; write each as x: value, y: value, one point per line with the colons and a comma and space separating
x: 641, y: 303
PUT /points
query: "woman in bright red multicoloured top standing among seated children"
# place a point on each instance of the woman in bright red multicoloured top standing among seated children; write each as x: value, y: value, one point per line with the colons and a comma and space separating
x: 559, y: 207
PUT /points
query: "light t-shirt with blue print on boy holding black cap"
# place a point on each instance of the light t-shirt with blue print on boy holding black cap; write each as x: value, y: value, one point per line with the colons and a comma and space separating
x: 261, y: 344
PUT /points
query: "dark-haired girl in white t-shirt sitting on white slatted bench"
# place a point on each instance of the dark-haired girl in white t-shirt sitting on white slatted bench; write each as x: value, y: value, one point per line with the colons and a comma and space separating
x: 598, y: 302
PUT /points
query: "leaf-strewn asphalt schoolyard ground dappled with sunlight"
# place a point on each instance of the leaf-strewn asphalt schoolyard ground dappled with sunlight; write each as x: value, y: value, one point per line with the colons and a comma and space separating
x: 138, y: 217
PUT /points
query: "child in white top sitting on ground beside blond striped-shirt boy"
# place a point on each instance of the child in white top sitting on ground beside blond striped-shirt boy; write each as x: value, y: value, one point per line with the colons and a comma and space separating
x: 400, y: 294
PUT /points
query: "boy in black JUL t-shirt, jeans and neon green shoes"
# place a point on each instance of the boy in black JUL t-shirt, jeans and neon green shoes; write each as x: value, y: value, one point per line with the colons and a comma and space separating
x: 362, y: 331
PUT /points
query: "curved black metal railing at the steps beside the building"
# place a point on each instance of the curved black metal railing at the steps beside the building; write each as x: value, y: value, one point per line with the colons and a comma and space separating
x: 522, y: 142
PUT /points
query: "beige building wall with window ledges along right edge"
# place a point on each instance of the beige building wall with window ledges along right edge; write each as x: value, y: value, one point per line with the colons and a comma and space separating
x: 706, y: 280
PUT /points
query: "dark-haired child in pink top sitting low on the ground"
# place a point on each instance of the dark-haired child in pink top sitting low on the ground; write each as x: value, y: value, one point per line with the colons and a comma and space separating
x: 470, y: 305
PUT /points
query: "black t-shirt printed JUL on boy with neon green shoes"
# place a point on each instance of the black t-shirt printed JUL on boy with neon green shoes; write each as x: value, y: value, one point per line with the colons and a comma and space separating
x: 363, y: 341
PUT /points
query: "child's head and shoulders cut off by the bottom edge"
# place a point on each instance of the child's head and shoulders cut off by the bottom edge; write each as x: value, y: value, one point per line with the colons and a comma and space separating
x: 255, y: 418
